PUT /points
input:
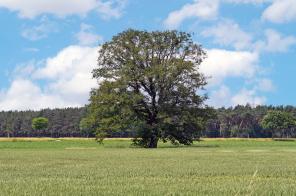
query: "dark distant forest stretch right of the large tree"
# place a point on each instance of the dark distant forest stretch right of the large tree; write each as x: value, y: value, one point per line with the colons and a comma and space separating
x: 245, y: 121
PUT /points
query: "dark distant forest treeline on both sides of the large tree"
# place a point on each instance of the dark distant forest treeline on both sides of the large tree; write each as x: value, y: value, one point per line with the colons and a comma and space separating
x: 239, y: 121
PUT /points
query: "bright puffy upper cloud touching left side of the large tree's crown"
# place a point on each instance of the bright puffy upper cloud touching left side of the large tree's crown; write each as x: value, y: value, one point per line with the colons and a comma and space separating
x: 69, y: 72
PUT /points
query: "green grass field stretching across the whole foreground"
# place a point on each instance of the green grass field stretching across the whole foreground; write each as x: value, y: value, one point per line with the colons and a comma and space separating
x: 83, y: 167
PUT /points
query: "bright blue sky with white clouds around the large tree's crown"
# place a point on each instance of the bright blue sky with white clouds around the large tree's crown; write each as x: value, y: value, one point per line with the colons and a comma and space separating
x: 48, y: 48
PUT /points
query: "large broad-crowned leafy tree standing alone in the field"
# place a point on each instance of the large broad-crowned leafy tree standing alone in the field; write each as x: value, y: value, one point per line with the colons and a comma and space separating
x: 150, y: 83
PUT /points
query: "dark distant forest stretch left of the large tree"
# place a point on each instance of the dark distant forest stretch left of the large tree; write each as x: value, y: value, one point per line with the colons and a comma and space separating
x: 62, y: 123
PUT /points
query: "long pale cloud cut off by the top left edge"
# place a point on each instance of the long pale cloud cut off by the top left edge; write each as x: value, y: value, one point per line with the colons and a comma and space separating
x: 62, y: 8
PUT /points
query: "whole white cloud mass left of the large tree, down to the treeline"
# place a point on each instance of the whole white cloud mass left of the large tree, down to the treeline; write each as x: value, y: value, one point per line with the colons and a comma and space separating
x: 67, y: 81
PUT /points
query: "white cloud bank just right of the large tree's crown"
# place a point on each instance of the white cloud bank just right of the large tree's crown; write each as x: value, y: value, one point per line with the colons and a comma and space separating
x: 243, y: 65
